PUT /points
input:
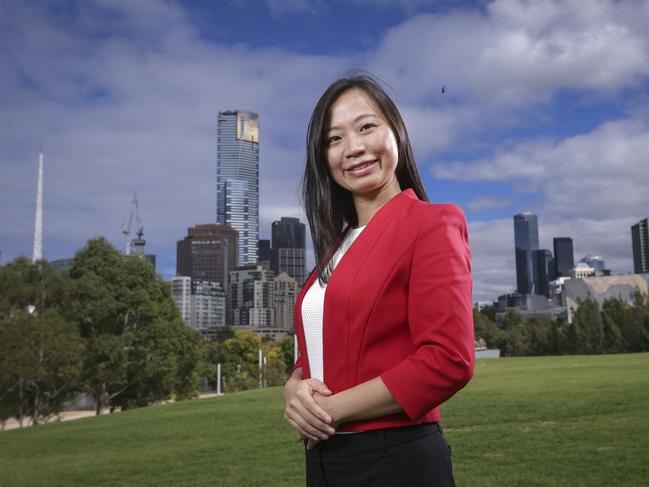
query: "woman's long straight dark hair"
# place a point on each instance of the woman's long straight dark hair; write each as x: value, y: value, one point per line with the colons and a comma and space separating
x: 329, y: 207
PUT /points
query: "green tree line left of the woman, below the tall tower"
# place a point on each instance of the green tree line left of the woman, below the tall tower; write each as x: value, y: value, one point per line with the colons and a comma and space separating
x: 110, y: 329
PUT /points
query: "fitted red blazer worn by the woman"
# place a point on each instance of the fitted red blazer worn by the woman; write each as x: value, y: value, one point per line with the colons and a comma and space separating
x: 398, y: 305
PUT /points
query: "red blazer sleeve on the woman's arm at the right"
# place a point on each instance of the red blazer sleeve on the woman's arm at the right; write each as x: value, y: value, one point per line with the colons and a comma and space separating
x: 440, y: 316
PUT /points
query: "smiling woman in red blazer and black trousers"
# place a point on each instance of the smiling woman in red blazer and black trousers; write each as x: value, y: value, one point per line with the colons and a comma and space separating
x: 384, y: 323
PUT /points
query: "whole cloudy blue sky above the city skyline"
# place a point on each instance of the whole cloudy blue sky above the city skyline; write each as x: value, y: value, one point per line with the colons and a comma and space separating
x: 546, y: 110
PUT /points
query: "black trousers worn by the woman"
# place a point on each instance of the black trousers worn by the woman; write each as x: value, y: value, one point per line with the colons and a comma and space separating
x: 412, y: 456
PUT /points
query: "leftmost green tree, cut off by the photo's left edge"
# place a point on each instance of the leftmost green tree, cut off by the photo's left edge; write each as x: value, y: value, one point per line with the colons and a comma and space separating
x: 39, y: 348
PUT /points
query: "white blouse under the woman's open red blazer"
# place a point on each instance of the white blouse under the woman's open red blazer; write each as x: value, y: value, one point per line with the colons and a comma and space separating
x: 313, y: 309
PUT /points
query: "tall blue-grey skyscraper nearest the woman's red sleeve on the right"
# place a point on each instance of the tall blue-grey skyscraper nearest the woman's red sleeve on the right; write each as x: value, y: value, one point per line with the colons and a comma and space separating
x: 526, y: 239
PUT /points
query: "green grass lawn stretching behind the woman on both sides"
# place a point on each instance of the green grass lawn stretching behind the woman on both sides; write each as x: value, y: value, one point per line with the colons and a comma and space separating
x: 521, y: 421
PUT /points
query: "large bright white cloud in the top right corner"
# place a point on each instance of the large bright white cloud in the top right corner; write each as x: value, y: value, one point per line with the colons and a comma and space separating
x: 519, y: 51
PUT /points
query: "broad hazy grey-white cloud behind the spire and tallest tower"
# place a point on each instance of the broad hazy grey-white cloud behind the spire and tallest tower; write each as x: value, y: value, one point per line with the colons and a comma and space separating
x: 134, y: 110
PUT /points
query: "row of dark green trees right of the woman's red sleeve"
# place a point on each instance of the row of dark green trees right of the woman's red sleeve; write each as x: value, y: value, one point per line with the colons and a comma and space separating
x: 615, y: 327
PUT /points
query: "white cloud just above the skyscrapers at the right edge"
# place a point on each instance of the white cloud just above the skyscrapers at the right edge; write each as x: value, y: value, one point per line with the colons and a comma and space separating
x: 601, y: 174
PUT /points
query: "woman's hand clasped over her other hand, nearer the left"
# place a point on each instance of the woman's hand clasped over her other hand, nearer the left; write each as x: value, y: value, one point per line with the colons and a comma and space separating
x: 301, y: 410
